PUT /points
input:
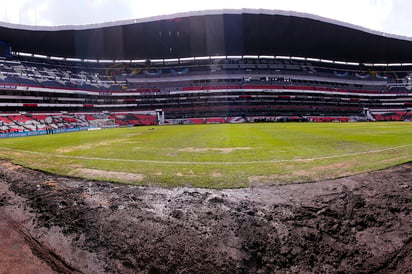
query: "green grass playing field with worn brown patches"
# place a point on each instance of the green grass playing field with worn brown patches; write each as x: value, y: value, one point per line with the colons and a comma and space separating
x: 218, y: 156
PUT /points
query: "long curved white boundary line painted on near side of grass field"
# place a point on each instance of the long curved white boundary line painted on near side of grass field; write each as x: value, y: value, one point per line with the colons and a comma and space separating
x: 205, y: 163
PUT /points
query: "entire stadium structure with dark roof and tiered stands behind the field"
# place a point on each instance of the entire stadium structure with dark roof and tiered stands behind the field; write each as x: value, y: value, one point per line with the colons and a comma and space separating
x: 201, y: 67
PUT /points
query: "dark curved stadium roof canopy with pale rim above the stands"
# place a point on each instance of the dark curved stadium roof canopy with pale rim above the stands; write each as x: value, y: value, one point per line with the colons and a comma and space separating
x: 212, y: 33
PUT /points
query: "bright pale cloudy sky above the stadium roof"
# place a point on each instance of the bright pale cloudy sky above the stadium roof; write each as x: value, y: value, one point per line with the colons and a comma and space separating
x: 389, y: 16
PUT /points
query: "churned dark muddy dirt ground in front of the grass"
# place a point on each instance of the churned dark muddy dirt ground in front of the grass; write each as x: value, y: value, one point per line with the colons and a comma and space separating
x: 358, y: 224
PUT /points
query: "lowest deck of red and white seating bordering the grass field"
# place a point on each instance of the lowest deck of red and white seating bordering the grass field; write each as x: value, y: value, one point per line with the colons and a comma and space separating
x: 34, y: 122
